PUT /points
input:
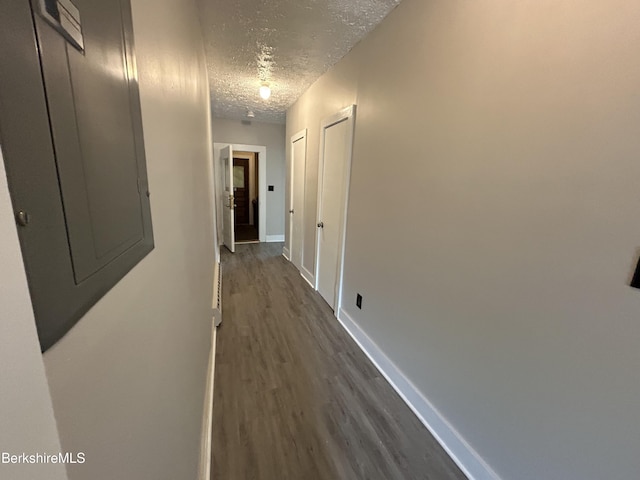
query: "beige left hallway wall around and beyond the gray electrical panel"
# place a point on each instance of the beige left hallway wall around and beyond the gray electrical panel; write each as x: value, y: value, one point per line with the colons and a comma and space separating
x: 128, y: 381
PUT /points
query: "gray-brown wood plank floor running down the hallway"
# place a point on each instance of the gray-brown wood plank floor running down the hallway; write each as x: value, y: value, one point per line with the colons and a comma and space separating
x: 295, y: 398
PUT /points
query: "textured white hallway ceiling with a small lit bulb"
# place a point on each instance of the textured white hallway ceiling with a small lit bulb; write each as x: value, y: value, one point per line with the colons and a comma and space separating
x: 286, y: 43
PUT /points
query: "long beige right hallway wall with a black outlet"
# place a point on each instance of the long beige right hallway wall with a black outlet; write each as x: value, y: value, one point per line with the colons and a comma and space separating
x: 493, y: 221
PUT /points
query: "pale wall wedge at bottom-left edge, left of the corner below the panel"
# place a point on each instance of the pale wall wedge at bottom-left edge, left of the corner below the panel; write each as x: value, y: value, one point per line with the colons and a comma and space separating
x: 27, y: 423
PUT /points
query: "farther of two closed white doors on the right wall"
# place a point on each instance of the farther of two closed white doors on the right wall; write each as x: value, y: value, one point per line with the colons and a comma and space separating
x: 298, y: 169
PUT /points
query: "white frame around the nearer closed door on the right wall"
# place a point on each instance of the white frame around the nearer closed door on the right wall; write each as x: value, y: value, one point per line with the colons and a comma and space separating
x: 347, y: 114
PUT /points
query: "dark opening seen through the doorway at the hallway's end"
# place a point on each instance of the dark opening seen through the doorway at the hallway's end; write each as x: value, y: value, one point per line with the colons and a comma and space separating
x: 245, y: 188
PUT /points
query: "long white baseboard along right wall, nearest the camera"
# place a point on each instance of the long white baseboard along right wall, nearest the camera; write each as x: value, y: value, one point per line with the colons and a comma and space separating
x: 458, y: 449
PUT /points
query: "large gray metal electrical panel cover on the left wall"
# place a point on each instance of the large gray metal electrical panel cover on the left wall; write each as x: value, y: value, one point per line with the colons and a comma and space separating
x: 71, y: 132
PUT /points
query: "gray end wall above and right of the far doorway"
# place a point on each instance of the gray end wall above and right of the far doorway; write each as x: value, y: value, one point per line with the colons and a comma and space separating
x: 270, y: 135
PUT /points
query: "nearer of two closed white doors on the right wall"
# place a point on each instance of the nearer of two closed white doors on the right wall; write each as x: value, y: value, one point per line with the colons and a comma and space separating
x: 335, y: 163
